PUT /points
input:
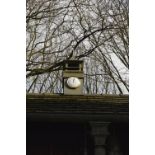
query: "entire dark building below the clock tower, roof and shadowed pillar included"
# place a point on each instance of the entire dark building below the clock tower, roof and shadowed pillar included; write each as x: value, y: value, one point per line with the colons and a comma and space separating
x: 60, y: 124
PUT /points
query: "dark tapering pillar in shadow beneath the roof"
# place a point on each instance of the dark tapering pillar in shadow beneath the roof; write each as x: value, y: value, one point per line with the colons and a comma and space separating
x: 100, y: 133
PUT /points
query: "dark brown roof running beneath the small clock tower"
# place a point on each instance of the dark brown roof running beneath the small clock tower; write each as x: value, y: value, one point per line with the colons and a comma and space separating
x: 78, y: 107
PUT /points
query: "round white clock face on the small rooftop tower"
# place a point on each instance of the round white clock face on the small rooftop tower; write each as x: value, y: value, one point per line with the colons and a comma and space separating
x: 73, y: 82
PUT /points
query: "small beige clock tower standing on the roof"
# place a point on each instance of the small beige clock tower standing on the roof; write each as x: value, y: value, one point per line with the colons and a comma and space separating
x: 73, y: 77
